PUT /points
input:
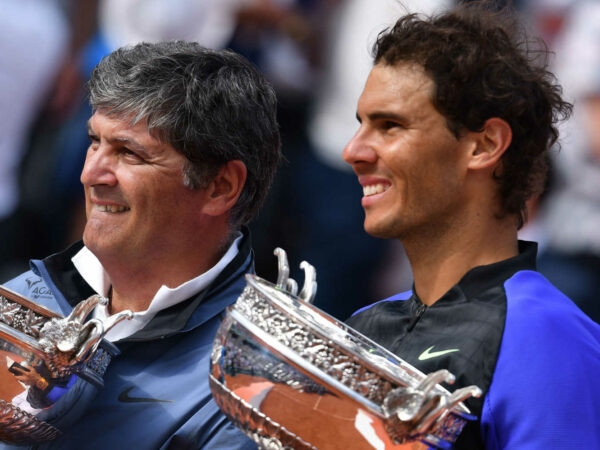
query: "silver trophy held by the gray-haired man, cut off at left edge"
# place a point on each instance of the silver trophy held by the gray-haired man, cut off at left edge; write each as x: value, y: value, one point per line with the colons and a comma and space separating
x: 42, y: 355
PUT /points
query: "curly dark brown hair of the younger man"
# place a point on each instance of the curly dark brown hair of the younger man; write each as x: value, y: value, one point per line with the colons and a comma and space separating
x: 484, y: 65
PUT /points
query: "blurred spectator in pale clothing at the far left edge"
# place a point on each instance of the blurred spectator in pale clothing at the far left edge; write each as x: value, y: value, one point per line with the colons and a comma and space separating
x: 33, y: 42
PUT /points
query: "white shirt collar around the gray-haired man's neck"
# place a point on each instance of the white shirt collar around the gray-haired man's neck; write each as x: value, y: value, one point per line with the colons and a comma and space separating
x: 90, y: 268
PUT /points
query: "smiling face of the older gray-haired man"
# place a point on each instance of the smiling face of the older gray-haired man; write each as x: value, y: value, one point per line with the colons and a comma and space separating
x: 137, y: 206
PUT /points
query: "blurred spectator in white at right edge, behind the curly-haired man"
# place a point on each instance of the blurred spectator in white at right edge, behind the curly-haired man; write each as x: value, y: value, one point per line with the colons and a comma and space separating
x: 570, y: 216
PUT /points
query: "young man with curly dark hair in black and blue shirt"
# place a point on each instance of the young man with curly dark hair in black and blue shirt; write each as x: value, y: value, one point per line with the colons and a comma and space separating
x: 456, y: 119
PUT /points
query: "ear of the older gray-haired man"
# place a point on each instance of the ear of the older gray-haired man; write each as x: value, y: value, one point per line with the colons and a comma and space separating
x: 224, y: 190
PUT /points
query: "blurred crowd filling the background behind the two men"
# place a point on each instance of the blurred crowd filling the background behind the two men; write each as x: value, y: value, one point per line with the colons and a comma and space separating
x: 317, y: 54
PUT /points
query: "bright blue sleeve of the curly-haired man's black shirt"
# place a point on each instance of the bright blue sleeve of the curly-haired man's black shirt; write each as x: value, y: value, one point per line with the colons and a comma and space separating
x: 545, y: 391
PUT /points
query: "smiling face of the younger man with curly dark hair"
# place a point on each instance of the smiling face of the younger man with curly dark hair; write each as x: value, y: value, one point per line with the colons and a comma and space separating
x: 408, y: 162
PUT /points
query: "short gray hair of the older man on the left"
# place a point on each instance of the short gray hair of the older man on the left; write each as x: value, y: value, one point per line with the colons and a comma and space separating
x: 211, y: 106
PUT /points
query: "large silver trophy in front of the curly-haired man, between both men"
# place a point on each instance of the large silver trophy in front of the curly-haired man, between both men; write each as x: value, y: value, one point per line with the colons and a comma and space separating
x: 292, y: 377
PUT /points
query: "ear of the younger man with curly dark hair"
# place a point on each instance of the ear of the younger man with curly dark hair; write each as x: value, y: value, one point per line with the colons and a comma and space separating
x: 491, y: 143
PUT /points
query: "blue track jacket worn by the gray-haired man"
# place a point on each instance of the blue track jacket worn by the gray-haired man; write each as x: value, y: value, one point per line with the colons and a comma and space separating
x: 156, y: 393
